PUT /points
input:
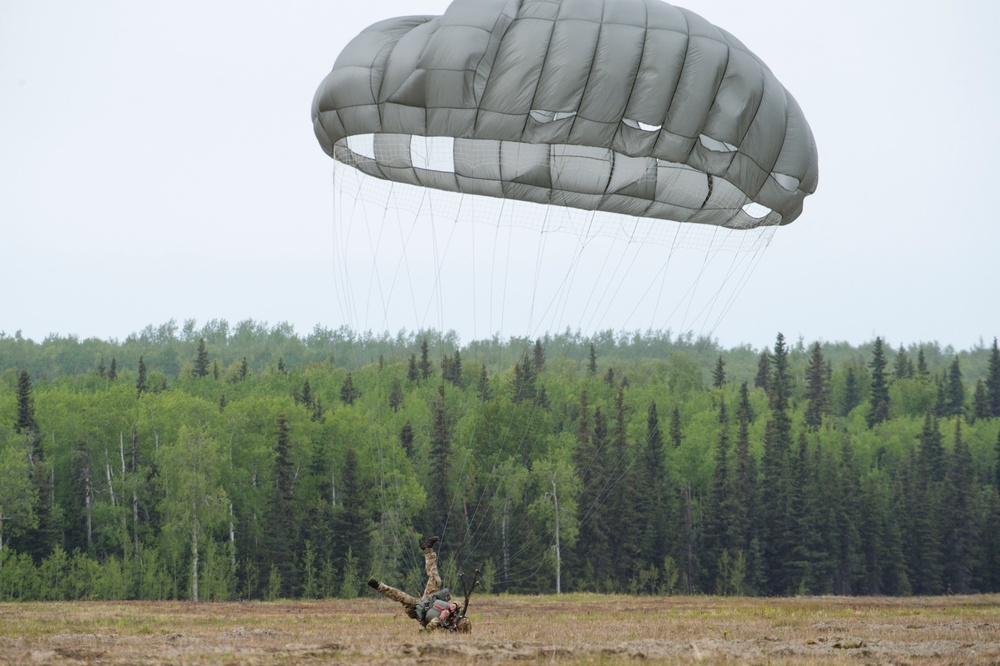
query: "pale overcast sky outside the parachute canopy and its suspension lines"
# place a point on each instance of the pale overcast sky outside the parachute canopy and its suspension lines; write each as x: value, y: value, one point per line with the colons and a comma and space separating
x: 157, y: 162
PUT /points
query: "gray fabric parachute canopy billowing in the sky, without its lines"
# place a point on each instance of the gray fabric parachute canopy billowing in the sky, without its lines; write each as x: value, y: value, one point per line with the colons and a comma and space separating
x: 626, y: 106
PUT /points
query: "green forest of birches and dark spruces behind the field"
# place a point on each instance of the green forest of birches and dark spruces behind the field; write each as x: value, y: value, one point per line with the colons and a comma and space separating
x: 252, y: 462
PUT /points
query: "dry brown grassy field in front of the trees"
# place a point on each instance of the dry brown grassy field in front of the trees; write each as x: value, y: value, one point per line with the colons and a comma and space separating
x: 586, y: 629
